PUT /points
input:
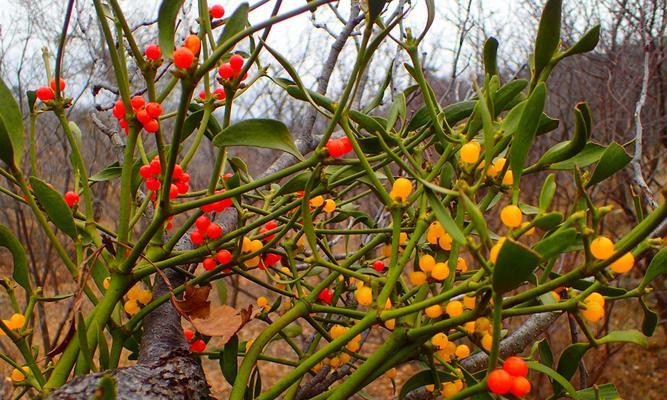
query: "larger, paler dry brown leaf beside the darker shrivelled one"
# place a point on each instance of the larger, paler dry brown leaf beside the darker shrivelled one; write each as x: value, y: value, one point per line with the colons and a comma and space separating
x: 224, y: 321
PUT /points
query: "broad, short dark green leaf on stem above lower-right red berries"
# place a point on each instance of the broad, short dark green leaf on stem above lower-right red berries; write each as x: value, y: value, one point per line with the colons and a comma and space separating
x: 513, y: 267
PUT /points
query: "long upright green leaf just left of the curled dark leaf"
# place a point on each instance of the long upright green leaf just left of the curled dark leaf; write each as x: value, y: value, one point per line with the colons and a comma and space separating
x: 525, y: 133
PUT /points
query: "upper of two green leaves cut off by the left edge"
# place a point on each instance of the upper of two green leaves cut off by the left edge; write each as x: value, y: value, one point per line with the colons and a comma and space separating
x: 11, y: 127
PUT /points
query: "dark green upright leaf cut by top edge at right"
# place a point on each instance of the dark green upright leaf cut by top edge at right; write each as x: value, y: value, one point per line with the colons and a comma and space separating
x: 548, y: 35
